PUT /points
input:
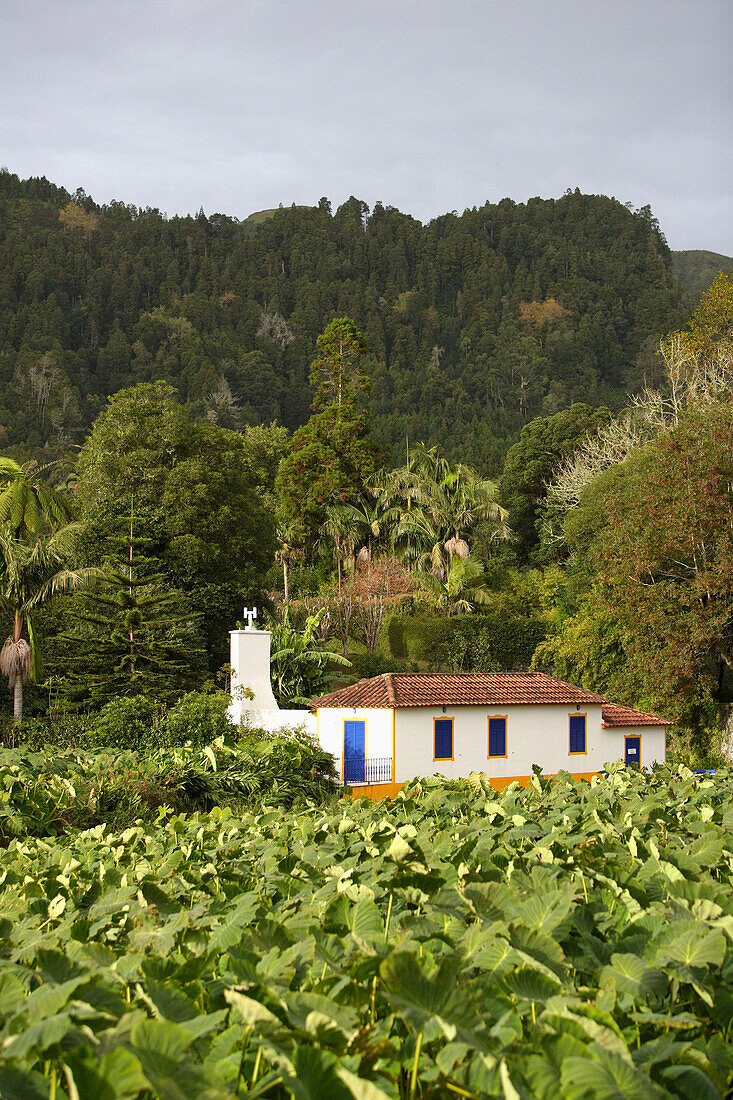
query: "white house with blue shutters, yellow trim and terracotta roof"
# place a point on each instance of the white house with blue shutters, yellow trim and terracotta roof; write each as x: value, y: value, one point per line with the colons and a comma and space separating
x: 391, y: 729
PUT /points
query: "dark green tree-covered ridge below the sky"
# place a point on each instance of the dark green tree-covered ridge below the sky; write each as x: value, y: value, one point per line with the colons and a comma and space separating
x: 476, y: 323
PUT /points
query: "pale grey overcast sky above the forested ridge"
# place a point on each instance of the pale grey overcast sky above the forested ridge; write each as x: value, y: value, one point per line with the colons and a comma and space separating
x: 425, y: 105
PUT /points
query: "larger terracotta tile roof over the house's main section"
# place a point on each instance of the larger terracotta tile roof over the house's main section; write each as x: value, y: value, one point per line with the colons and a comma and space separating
x: 457, y: 689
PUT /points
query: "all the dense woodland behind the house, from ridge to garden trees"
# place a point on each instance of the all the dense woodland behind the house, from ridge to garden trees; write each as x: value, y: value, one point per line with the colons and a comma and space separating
x: 509, y: 449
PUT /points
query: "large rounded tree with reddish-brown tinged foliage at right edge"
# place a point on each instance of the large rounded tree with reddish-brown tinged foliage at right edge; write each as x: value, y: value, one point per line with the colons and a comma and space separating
x: 652, y: 540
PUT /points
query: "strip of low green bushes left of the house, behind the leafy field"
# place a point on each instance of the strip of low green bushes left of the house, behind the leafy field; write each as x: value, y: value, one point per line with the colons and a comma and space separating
x: 56, y: 791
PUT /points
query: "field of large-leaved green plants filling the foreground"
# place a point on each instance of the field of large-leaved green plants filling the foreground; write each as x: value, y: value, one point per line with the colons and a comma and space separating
x: 570, y: 940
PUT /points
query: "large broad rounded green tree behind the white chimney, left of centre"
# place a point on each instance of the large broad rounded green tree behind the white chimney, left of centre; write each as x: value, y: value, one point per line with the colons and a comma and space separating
x: 195, y: 499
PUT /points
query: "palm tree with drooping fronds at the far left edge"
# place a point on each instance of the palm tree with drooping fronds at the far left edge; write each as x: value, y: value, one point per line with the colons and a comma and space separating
x: 31, y: 573
